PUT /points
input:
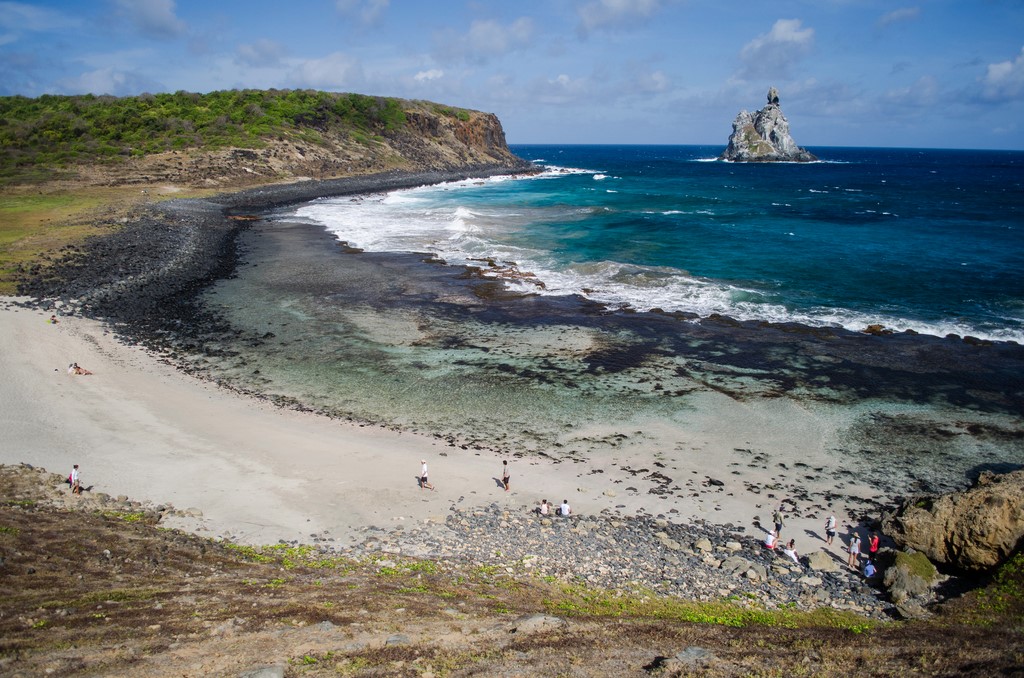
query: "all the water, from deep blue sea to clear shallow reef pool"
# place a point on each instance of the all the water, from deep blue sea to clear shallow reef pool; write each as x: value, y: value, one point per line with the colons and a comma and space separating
x: 652, y: 299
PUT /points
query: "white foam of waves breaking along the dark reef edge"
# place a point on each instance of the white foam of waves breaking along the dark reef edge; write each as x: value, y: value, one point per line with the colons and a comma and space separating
x: 449, y: 225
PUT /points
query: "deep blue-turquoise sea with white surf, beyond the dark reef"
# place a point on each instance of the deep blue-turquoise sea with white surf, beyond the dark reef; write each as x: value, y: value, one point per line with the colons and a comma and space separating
x: 931, y: 241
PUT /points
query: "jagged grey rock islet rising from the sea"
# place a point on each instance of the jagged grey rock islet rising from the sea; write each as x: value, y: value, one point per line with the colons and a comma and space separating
x: 764, y: 137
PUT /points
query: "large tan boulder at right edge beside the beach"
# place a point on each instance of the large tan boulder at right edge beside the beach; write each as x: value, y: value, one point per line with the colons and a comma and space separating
x: 972, y: 531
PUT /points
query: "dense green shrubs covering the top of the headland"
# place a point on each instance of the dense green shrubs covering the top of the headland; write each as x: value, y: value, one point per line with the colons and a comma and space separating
x: 57, y: 132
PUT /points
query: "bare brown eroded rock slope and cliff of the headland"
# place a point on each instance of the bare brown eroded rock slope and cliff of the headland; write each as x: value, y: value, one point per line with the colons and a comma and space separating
x: 433, y: 139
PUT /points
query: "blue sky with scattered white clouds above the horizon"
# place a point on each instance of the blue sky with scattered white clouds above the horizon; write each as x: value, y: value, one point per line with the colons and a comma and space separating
x: 863, y: 73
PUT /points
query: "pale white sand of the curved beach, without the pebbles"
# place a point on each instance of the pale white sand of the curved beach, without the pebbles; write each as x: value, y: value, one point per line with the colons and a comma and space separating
x: 139, y: 428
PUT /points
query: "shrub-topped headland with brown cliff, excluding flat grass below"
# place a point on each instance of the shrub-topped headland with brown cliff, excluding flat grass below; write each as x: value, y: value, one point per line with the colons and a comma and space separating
x: 237, y: 139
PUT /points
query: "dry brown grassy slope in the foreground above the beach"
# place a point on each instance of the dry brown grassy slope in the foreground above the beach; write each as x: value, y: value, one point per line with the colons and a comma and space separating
x: 118, y: 596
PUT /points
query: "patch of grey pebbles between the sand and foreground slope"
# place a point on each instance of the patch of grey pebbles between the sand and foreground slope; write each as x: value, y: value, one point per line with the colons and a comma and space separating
x: 630, y: 555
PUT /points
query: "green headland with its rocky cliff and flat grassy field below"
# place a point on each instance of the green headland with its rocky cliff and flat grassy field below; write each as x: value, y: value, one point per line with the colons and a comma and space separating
x: 79, y: 166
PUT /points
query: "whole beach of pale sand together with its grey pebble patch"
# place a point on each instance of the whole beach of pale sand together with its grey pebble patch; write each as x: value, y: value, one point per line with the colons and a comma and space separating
x: 227, y: 467
